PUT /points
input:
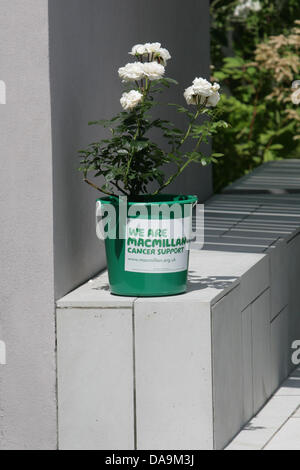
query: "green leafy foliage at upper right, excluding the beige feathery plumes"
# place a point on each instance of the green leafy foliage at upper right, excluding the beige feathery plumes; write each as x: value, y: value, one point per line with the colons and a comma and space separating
x: 259, y: 130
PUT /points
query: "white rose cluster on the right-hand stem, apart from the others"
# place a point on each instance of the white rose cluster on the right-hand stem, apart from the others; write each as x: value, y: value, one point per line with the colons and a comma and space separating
x: 203, y: 92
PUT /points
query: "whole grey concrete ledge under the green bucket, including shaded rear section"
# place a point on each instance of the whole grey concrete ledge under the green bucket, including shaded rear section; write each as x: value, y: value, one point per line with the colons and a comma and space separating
x: 186, y: 372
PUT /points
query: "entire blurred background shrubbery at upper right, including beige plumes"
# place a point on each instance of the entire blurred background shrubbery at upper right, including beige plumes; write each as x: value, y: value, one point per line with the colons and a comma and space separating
x: 255, y: 54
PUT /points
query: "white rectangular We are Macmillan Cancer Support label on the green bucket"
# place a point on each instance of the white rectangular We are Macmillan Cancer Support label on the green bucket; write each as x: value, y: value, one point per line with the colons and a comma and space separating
x: 157, y: 246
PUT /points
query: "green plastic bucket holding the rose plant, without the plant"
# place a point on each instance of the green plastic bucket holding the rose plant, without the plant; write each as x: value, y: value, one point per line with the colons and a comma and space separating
x: 151, y: 258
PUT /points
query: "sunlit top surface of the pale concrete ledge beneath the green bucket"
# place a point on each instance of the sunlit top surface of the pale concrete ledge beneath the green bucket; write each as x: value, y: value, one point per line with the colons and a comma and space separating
x: 211, y: 276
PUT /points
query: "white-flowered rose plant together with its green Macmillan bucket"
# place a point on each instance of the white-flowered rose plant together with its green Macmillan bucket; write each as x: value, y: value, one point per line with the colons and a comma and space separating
x: 148, y: 247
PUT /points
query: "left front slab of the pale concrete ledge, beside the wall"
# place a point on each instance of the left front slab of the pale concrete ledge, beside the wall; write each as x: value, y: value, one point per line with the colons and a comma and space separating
x: 95, y: 378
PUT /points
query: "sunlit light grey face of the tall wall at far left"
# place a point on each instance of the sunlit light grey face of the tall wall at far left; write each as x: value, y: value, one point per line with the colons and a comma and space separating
x: 27, y: 382
